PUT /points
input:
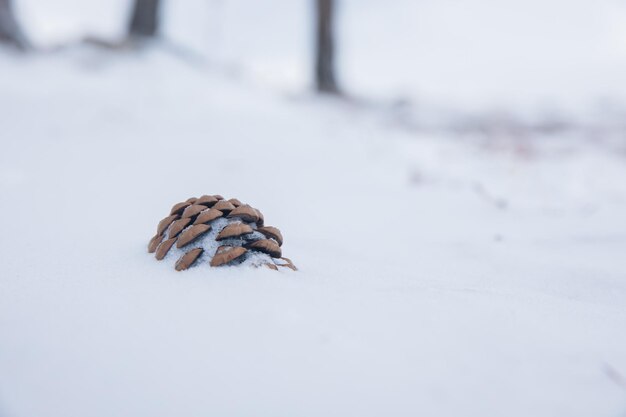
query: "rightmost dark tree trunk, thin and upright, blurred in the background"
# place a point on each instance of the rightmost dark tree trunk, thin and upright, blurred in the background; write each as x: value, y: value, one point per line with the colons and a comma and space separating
x: 325, y: 79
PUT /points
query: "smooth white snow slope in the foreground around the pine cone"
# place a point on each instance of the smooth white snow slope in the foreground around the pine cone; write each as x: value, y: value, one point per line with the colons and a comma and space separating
x: 439, y: 275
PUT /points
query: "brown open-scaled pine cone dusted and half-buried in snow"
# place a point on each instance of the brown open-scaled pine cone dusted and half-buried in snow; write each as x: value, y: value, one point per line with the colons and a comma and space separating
x: 217, y: 232
